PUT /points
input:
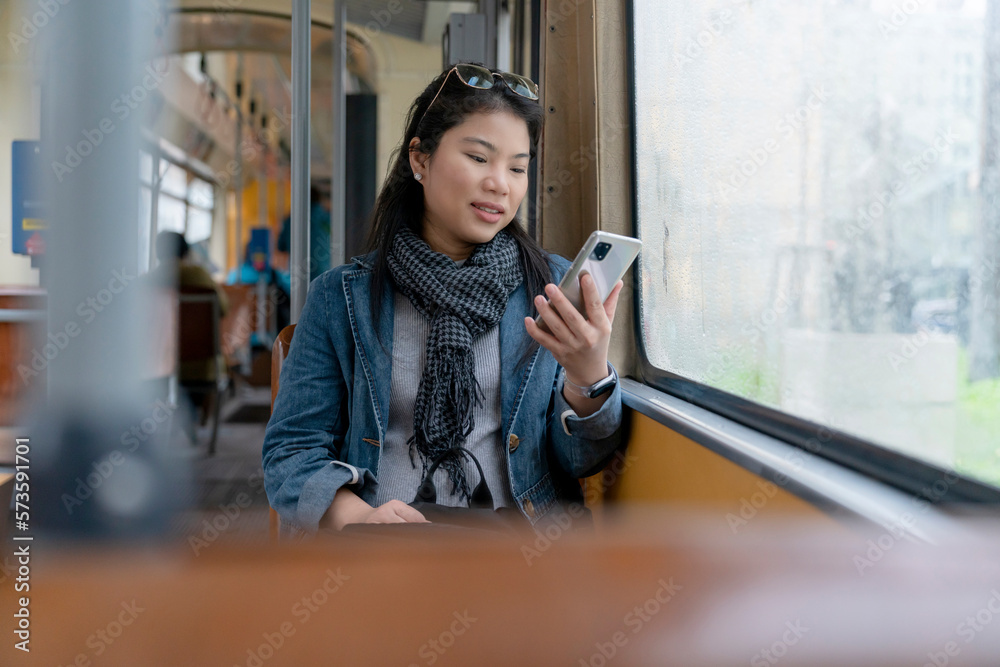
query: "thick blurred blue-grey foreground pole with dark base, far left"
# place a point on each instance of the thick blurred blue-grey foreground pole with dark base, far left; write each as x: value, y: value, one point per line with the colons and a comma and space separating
x: 102, y: 318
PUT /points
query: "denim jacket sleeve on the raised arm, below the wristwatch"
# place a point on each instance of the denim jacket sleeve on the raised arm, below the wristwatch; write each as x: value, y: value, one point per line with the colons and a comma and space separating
x: 592, y: 440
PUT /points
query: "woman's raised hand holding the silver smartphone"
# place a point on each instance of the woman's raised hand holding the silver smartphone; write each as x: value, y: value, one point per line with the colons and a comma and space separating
x: 579, y: 344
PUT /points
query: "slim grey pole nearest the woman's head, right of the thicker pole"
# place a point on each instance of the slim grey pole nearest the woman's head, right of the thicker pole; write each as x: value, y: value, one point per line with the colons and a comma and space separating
x: 338, y: 198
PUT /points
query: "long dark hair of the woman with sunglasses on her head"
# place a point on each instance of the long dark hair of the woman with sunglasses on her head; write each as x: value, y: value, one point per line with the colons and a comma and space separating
x: 401, y: 202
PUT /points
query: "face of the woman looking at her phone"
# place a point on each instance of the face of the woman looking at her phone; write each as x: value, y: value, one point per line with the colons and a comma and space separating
x: 474, y: 181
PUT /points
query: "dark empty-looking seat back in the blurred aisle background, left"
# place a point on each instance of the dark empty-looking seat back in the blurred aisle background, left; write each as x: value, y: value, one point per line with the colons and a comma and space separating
x: 200, y: 353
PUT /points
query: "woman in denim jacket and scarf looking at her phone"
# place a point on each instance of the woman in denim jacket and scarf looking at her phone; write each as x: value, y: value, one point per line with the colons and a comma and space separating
x: 428, y: 342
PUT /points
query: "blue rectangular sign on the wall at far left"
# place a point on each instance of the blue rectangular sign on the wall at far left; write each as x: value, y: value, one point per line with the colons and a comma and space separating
x: 28, y: 220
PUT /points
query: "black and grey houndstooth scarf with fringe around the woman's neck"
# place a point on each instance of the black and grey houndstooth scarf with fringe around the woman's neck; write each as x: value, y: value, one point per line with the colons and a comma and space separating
x: 461, y: 303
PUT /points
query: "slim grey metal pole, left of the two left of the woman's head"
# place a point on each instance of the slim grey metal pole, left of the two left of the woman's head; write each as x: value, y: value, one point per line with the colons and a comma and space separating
x: 301, y: 78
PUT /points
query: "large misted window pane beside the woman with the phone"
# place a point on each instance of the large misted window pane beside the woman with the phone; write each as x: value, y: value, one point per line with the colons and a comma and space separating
x: 818, y: 219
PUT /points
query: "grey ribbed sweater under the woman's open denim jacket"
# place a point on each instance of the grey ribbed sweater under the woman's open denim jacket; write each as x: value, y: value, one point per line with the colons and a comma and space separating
x: 398, y: 478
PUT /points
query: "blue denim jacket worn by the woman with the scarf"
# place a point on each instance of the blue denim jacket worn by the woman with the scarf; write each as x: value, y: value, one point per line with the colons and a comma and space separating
x: 329, y: 417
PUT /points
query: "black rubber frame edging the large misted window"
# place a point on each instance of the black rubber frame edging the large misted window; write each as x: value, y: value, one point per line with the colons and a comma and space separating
x: 891, y: 467
